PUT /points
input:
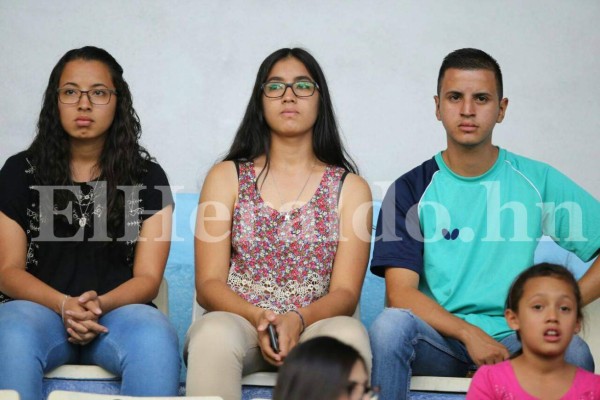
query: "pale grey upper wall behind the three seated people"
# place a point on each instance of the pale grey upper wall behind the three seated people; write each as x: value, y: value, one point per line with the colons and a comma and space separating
x: 191, y: 65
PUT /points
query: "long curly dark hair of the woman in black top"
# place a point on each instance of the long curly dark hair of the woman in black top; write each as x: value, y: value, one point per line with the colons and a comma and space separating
x: 122, y: 160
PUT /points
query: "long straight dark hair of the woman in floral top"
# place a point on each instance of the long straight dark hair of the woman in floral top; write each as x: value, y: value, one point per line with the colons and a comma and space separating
x: 253, y: 137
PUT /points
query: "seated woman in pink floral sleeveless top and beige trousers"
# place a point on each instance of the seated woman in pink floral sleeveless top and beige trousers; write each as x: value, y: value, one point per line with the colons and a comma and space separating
x: 282, y: 234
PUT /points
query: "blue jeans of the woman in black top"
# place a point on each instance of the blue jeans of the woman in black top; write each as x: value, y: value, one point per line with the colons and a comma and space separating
x: 141, y: 347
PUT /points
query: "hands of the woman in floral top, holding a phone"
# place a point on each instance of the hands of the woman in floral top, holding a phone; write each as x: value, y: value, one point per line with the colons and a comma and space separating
x: 288, y: 327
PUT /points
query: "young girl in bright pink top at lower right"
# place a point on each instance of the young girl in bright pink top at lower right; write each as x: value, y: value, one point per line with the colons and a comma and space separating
x: 544, y: 307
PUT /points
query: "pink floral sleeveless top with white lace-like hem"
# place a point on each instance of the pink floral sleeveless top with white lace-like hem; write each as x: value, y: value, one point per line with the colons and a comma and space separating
x: 283, y: 260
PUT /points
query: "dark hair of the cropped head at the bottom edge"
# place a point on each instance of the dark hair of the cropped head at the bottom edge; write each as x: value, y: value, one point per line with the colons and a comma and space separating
x: 317, y: 369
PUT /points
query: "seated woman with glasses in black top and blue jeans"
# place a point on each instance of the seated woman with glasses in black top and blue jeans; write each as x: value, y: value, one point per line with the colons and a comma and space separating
x: 85, y: 222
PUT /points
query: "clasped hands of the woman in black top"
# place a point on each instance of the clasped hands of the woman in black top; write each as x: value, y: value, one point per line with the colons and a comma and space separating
x: 80, y: 317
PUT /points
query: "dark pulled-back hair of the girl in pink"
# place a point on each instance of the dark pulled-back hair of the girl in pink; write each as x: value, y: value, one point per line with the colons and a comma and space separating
x: 516, y: 290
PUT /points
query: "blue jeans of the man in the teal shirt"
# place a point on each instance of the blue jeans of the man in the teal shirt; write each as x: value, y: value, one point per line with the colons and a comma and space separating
x: 404, y: 345
